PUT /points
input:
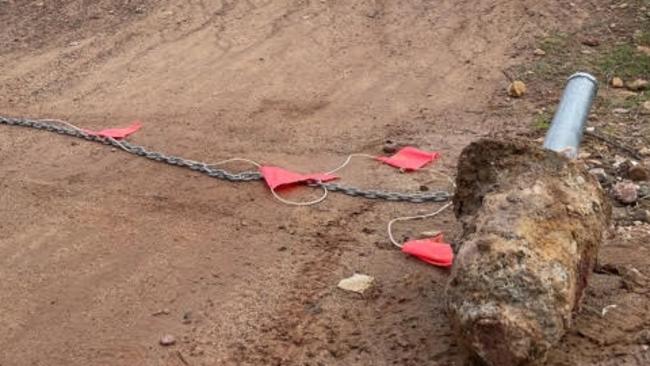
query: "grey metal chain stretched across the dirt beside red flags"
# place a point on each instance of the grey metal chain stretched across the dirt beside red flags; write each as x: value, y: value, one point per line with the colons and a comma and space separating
x: 245, y: 176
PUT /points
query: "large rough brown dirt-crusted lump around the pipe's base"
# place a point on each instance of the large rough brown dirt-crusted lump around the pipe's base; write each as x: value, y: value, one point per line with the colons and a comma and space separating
x: 532, y: 225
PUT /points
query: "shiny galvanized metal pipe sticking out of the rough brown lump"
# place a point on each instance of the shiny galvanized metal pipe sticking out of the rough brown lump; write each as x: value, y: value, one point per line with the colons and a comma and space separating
x: 569, y: 121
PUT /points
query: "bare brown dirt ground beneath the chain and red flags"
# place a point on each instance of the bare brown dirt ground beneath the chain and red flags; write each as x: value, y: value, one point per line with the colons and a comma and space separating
x: 102, y: 253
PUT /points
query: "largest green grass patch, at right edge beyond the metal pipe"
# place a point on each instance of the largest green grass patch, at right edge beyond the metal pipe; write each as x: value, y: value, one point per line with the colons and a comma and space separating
x: 624, y: 61
